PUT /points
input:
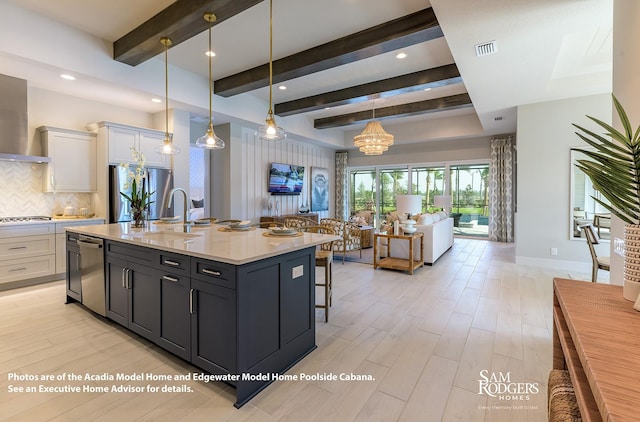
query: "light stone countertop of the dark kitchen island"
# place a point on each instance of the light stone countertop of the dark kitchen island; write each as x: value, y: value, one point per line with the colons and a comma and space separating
x: 237, y: 247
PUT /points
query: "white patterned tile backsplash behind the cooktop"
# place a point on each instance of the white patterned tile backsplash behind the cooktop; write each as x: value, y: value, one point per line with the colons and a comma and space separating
x: 21, y: 192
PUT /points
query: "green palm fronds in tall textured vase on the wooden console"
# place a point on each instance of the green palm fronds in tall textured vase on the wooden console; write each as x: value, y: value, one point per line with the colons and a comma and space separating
x: 614, y: 169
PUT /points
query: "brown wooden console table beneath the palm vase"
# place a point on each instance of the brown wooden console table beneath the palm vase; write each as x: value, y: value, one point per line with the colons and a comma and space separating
x: 596, y: 336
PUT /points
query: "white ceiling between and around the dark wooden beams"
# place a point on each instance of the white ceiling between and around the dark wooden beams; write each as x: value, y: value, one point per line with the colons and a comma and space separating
x: 547, y: 50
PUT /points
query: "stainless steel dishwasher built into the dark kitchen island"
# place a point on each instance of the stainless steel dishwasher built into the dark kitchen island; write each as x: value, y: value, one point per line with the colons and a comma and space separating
x: 92, y: 273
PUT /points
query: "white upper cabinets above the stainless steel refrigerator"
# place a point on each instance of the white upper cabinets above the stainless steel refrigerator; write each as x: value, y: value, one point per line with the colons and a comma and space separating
x: 120, y: 139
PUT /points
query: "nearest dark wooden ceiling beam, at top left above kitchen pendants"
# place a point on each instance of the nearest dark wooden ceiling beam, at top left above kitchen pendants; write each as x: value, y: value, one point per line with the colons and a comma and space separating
x: 180, y: 21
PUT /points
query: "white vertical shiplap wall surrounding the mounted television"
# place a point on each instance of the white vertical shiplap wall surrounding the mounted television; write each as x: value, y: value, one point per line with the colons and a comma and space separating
x: 255, y: 157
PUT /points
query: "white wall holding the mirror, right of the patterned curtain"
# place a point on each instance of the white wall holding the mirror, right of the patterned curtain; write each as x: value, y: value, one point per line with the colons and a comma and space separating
x: 544, y: 138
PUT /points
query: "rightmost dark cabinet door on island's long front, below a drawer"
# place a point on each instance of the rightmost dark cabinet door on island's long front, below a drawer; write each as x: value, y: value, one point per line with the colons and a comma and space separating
x: 213, y: 328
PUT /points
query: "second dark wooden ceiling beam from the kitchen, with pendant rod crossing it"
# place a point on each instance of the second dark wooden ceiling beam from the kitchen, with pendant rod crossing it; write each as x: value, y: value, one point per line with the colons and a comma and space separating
x: 408, y: 30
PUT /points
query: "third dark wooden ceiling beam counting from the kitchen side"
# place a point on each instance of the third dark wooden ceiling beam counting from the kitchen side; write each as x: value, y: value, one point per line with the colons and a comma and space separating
x: 430, y: 78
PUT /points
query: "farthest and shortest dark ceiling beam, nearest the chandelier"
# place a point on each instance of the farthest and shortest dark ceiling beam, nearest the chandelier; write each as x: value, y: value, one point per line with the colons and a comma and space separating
x: 403, y: 110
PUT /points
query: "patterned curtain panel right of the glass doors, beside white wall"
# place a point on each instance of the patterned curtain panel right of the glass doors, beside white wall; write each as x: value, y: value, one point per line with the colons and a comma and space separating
x: 501, y: 195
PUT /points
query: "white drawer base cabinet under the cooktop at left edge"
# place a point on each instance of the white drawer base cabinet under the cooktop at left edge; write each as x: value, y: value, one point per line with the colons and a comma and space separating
x: 26, y: 251
